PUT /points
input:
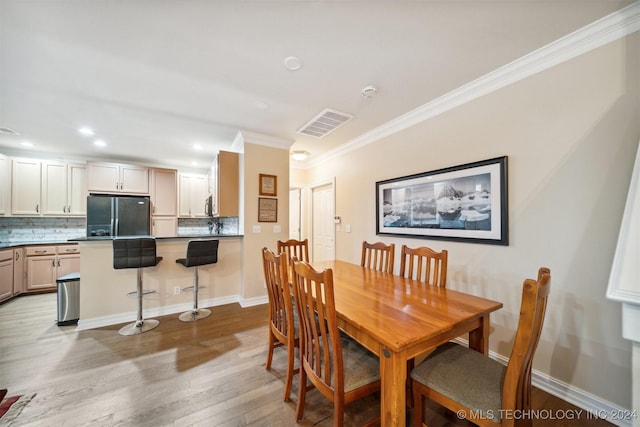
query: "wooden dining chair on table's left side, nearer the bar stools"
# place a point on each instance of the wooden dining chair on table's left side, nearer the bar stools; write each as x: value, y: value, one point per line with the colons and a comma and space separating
x: 283, y: 328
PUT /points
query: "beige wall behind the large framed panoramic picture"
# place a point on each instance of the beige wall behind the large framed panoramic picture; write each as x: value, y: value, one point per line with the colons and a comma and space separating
x: 571, y: 134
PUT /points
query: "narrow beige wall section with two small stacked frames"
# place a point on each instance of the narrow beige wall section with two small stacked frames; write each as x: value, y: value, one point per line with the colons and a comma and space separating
x: 272, y: 161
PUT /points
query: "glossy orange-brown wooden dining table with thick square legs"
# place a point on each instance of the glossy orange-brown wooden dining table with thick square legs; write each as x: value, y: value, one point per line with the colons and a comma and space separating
x: 398, y: 318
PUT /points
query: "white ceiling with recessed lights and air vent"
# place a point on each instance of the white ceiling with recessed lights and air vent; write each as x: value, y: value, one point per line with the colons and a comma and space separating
x: 154, y: 77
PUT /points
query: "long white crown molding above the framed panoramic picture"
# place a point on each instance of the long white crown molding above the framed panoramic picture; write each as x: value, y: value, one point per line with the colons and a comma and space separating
x: 605, y: 30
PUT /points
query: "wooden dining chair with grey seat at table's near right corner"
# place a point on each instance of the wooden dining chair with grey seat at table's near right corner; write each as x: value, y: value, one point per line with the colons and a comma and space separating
x: 477, y: 387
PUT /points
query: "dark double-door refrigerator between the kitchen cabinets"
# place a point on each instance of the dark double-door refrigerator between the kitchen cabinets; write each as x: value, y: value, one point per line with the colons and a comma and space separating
x: 109, y: 215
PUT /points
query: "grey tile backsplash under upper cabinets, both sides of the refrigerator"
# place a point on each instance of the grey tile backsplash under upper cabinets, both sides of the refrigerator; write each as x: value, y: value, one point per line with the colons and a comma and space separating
x: 35, y: 229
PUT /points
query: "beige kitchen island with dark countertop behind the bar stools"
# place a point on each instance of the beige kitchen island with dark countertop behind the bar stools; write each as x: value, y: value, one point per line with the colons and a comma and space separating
x: 103, y: 290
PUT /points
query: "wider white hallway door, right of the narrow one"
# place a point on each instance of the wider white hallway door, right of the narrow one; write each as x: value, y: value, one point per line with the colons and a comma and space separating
x: 323, y: 229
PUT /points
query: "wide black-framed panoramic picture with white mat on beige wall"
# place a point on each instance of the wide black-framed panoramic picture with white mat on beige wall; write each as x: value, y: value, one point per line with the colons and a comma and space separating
x: 465, y: 203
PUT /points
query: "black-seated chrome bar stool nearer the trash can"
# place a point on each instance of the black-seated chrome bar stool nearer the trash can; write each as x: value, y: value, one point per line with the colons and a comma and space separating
x: 137, y: 252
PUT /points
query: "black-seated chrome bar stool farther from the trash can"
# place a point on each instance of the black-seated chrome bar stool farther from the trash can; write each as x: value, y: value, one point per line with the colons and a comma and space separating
x: 199, y: 252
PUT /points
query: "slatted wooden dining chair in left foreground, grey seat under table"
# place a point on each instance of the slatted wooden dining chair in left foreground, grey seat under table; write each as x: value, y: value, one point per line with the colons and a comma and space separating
x: 340, y: 368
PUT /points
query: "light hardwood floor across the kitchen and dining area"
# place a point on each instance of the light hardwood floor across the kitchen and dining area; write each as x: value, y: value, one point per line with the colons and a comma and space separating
x: 205, y: 373
